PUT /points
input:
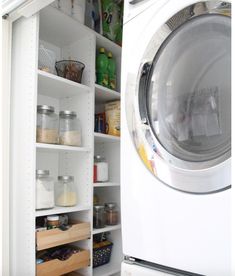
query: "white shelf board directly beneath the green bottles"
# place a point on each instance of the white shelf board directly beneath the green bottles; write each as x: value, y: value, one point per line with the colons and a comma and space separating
x: 103, y: 94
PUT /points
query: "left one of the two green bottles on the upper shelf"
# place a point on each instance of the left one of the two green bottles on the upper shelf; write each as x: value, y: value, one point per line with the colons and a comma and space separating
x: 102, y: 68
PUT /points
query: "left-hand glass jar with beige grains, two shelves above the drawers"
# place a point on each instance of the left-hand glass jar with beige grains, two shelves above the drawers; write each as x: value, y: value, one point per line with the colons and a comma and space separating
x: 47, y: 125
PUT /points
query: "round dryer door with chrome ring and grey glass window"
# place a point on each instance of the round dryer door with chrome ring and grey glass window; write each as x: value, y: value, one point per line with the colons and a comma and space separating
x: 183, y: 115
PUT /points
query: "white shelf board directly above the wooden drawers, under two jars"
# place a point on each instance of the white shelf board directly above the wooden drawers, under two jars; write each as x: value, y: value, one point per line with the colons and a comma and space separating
x: 62, y: 210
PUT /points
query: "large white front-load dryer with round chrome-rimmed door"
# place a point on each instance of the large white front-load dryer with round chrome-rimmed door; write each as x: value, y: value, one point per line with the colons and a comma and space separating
x: 176, y: 136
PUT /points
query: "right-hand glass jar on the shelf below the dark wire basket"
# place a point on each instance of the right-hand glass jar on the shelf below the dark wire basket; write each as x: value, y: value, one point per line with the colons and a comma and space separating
x: 70, y: 133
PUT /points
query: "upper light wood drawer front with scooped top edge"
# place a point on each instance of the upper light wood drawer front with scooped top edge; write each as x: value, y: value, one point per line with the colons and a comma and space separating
x: 54, y: 237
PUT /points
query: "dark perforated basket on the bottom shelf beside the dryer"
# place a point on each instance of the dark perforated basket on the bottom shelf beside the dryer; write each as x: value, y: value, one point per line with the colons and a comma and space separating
x: 102, y: 253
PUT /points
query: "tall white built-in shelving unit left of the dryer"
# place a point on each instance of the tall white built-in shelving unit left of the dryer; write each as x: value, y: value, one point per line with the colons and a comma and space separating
x: 31, y: 87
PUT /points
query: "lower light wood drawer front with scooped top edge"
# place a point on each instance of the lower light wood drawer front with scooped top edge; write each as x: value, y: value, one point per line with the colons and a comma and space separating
x: 56, y: 267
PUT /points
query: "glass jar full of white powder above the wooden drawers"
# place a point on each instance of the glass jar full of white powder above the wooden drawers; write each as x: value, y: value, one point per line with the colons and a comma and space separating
x: 44, y: 190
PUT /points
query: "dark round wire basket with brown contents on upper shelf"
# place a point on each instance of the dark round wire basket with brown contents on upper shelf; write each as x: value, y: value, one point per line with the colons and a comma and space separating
x: 70, y: 69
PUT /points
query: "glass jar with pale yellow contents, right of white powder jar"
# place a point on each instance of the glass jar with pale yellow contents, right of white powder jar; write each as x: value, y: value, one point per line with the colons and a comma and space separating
x: 66, y: 194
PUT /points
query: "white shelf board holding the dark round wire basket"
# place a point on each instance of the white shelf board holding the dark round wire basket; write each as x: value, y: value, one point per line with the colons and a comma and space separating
x: 57, y: 87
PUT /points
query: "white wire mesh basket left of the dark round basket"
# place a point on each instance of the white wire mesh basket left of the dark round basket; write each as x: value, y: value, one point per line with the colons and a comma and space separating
x: 46, y: 60
